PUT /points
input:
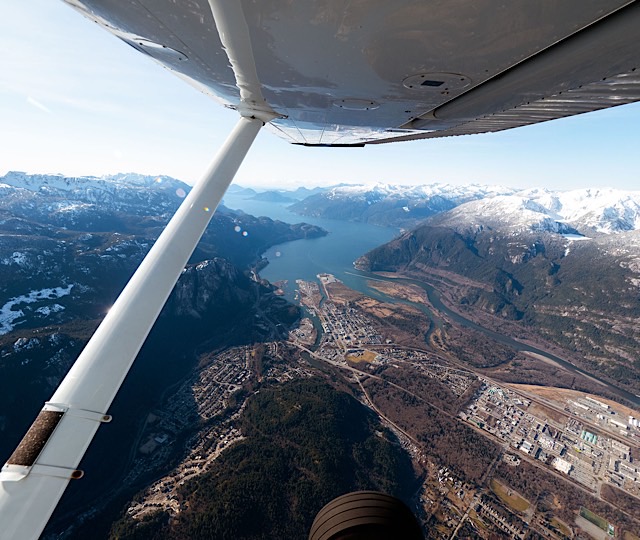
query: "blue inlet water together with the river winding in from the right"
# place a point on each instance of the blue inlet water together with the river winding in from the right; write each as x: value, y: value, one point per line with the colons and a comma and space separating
x: 335, y: 253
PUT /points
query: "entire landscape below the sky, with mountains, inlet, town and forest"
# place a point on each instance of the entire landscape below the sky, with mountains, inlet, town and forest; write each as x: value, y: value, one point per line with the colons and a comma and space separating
x: 490, y: 364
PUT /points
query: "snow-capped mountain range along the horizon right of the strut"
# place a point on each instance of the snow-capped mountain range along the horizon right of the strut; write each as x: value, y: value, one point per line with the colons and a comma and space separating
x: 593, y: 211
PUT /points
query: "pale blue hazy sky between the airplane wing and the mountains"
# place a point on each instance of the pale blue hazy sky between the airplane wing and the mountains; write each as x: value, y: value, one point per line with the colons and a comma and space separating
x: 77, y: 101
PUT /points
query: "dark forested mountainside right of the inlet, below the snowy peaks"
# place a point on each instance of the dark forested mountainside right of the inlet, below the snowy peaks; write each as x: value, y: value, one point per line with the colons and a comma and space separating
x: 584, y: 303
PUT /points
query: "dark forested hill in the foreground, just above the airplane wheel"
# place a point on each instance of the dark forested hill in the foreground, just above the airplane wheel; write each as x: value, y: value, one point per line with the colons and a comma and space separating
x: 306, y: 443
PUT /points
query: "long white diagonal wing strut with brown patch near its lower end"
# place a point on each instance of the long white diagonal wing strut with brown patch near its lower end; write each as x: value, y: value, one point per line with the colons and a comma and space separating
x: 36, y: 475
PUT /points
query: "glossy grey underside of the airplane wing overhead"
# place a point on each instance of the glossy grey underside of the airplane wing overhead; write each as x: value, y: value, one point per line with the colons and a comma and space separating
x: 354, y: 72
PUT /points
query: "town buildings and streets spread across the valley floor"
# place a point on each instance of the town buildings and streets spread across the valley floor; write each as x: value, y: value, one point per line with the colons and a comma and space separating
x: 589, y: 441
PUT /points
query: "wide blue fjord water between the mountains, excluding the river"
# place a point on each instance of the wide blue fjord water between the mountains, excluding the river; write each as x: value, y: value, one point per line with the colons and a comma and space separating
x: 305, y: 259
